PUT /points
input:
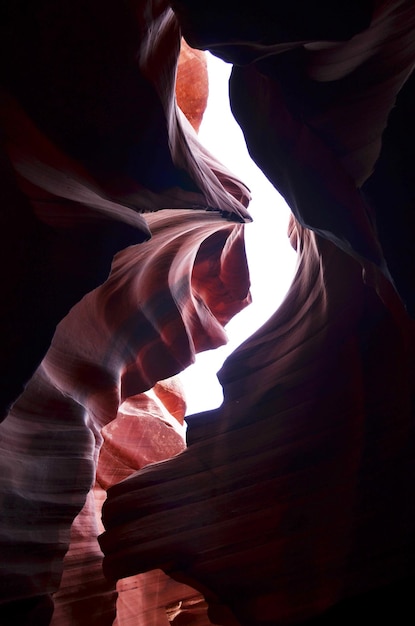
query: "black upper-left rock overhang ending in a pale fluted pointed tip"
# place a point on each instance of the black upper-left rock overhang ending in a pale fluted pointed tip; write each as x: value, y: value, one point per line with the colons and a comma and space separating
x: 91, y: 140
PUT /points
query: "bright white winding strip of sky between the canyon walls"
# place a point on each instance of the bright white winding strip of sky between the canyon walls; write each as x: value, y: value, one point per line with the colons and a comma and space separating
x: 271, y: 258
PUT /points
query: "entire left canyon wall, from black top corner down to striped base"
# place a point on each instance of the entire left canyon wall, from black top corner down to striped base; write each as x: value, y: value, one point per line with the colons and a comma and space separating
x: 67, y: 210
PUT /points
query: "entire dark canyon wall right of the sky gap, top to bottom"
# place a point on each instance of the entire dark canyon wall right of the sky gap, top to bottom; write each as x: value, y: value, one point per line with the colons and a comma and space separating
x: 302, y: 480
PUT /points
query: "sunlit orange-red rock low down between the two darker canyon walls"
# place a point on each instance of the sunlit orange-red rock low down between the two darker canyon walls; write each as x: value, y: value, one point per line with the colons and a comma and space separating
x: 143, y: 432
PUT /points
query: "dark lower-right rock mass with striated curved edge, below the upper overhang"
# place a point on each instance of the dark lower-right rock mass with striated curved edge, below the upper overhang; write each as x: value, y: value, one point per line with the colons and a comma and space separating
x: 295, y: 493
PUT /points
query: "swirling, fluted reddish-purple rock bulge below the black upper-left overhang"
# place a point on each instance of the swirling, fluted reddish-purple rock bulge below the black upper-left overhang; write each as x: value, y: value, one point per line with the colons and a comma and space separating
x: 143, y: 324
